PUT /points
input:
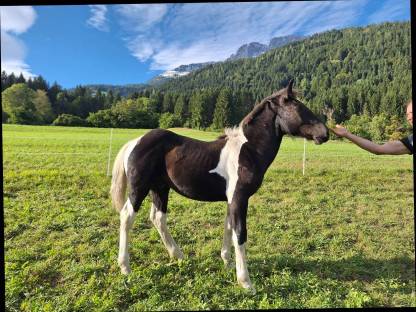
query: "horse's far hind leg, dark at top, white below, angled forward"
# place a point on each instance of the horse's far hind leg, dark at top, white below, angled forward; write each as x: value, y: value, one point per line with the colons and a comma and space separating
x: 158, y: 216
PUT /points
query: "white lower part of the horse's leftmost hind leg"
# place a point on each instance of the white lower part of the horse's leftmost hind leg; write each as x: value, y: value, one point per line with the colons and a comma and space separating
x: 127, y: 215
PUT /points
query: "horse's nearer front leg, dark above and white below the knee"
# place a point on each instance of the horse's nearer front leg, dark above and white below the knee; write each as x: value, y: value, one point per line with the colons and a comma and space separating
x: 238, y: 214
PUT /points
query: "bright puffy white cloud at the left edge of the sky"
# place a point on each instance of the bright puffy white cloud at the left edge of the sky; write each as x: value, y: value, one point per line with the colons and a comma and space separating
x: 15, y: 21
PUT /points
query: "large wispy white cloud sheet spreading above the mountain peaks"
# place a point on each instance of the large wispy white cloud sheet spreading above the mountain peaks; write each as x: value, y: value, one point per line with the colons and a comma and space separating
x: 172, y: 35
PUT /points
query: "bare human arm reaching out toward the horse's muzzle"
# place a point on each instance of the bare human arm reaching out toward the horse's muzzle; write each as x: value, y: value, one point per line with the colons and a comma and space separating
x: 389, y: 148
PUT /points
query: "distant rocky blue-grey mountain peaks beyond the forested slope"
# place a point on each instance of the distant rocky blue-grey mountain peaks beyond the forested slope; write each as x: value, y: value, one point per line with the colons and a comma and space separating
x: 248, y: 50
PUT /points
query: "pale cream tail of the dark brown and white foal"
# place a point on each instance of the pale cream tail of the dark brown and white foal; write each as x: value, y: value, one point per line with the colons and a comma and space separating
x: 119, y: 180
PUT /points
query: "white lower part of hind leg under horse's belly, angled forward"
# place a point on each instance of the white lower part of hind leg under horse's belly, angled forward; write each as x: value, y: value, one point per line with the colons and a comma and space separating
x: 159, y: 220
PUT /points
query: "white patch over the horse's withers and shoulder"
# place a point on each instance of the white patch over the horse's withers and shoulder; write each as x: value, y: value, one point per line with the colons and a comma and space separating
x: 228, y: 164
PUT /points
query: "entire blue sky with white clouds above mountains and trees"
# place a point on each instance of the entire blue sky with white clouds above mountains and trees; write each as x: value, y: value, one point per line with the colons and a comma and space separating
x: 121, y: 44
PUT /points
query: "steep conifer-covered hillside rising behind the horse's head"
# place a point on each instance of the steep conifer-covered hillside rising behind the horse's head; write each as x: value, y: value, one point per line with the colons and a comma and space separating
x: 354, y: 70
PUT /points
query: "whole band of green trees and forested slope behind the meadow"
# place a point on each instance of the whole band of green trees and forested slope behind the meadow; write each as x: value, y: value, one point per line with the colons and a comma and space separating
x: 356, y: 74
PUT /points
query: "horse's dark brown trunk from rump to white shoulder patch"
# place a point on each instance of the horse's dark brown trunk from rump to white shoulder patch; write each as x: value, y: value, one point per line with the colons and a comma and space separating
x: 162, y: 156
